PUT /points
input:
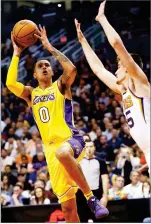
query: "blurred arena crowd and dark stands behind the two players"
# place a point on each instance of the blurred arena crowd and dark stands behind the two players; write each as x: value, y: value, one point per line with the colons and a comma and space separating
x: 97, y: 110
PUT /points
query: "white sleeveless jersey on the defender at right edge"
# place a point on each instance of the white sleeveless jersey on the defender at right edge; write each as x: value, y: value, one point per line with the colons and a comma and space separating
x: 137, y: 113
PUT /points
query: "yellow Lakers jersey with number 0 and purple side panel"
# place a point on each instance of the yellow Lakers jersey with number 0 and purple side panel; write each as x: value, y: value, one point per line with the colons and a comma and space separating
x: 53, y: 114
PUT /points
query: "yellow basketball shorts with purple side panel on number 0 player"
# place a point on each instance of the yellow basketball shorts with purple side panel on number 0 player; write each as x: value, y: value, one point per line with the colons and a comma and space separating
x: 62, y: 184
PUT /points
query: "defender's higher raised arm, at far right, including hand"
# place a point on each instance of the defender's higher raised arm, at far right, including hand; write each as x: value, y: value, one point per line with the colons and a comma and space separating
x: 115, y: 41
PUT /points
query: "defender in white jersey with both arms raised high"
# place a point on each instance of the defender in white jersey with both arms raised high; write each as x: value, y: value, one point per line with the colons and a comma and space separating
x: 130, y: 82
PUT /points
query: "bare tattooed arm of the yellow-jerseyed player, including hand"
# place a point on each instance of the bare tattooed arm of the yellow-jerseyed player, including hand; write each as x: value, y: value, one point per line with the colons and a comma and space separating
x: 69, y: 73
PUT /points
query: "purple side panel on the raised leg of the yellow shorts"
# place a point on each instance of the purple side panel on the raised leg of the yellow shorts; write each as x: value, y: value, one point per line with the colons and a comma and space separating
x: 77, y: 144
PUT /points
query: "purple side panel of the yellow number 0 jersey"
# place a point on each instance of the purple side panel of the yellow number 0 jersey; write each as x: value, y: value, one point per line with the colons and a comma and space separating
x: 68, y: 116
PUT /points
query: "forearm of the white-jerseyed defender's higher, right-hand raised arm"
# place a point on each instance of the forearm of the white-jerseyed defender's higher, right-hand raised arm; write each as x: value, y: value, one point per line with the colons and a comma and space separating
x: 112, y: 36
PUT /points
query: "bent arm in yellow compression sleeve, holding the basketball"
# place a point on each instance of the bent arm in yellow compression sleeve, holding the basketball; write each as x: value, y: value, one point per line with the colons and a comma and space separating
x: 15, y: 87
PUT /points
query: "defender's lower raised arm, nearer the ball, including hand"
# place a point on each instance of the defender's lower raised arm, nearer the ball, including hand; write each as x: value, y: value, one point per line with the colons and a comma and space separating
x: 95, y: 63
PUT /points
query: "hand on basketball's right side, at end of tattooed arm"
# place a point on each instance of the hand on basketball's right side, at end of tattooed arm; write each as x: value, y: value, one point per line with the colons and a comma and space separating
x: 42, y: 35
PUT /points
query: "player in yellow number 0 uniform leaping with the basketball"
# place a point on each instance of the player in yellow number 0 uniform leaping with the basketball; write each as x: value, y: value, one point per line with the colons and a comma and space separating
x: 51, y: 104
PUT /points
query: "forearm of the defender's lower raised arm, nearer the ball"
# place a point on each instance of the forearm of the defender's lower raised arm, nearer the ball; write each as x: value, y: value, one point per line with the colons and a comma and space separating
x: 91, y: 57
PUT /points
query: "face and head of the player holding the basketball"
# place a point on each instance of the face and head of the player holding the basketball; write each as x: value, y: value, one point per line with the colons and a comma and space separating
x: 43, y: 70
